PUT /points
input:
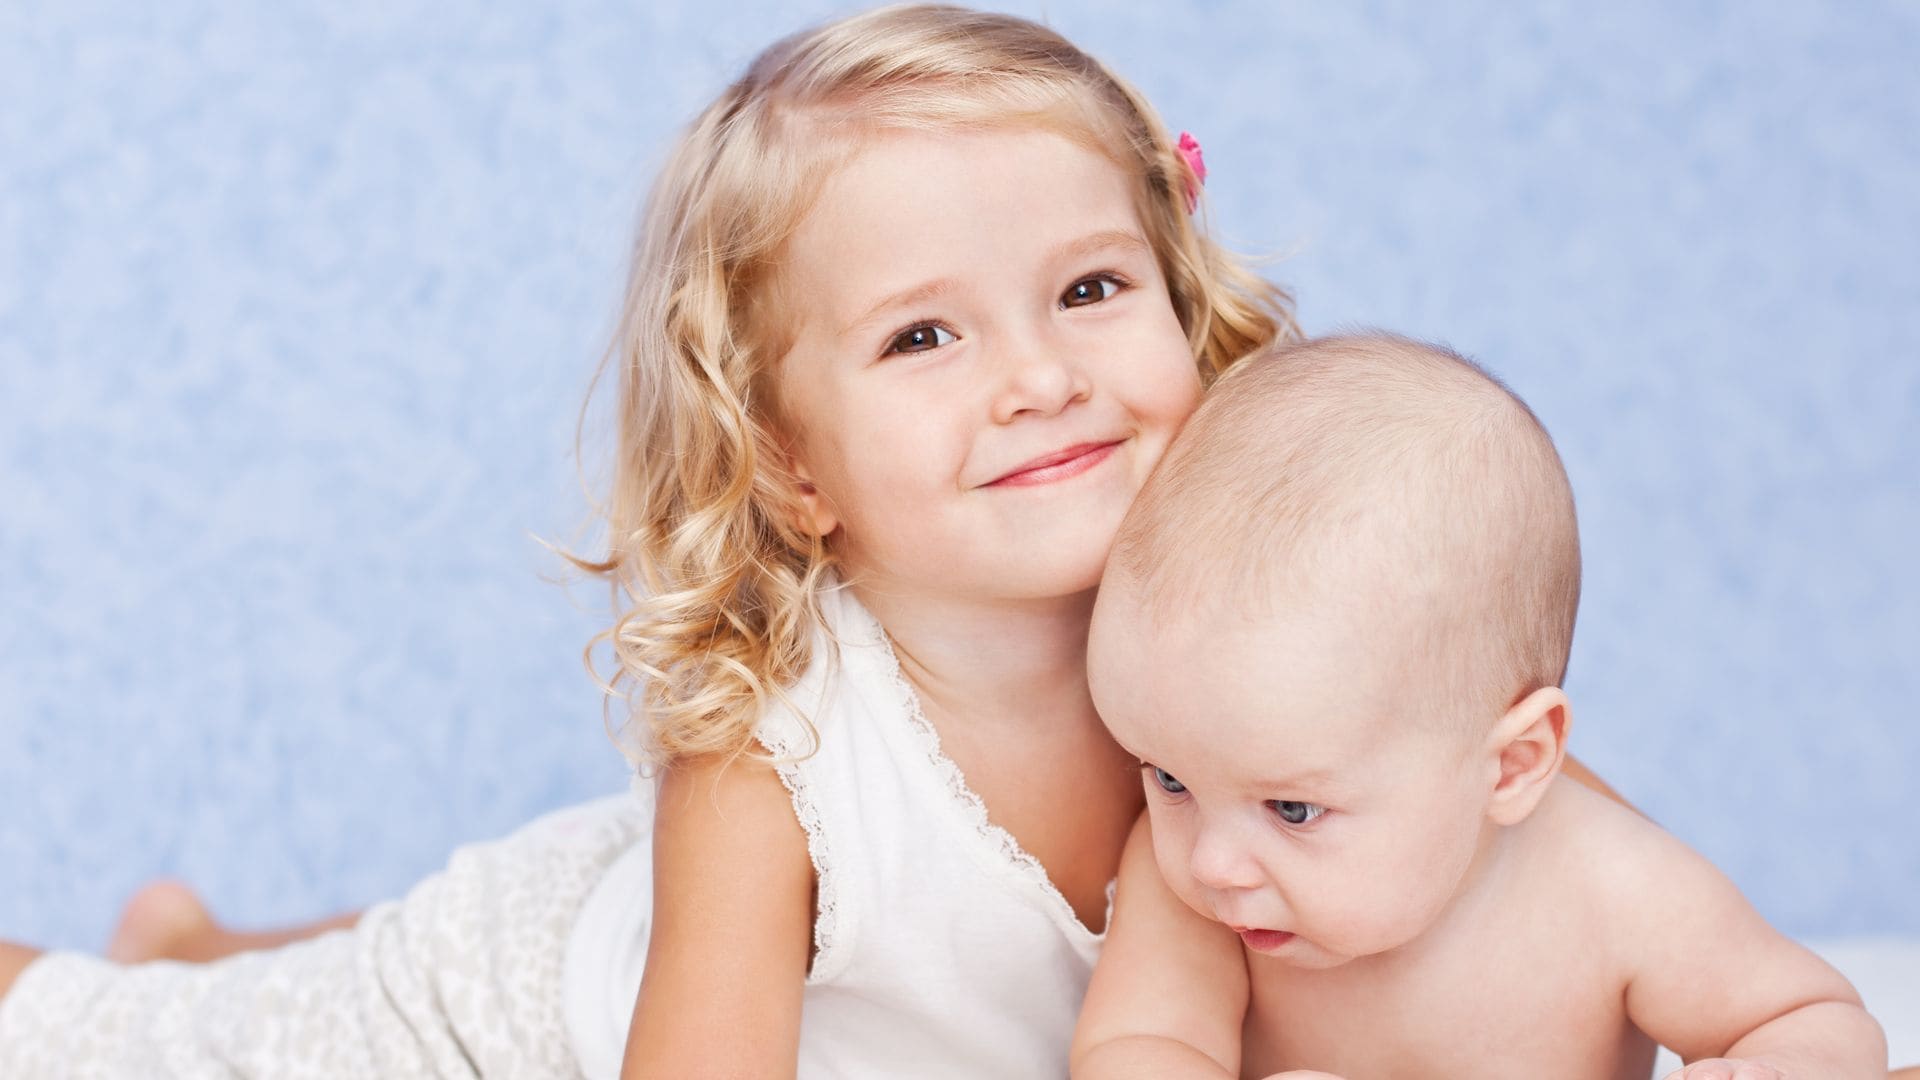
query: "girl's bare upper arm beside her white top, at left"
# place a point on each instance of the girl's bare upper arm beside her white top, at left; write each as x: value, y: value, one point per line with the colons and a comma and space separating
x: 732, y: 927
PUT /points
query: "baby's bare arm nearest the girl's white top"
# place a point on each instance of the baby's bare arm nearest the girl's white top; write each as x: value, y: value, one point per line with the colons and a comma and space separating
x: 1170, y: 993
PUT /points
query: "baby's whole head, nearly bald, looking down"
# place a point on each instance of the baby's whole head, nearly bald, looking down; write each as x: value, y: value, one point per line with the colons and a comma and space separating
x: 1333, y: 629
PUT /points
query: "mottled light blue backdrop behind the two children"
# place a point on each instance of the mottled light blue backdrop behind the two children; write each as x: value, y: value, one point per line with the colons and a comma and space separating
x: 299, y: 305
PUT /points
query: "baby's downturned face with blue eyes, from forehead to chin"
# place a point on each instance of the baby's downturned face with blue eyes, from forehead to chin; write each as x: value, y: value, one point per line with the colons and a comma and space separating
x: 1295, y: 791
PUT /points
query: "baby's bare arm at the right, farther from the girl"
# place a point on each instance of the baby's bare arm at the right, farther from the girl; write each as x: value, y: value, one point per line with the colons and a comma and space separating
x: 1712, y: 981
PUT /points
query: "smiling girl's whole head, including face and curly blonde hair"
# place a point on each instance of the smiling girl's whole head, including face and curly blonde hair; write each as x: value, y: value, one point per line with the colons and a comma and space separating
x: 865, y: 278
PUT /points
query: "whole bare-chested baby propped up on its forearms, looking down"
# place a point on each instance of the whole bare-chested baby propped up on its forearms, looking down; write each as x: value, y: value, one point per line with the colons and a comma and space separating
x: 1333, y: 631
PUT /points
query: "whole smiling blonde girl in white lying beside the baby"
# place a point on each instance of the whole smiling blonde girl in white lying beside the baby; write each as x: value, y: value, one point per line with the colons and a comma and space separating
x: 915, y: 310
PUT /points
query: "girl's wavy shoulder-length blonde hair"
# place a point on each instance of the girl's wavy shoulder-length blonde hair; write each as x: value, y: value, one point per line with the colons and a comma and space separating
x: 715, y: 581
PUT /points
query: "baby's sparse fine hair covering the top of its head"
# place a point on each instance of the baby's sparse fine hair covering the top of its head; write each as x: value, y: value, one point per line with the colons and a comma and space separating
x: 1385, y: 478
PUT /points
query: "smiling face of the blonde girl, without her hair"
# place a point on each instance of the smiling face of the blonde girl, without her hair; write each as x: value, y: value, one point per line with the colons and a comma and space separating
x: 986, y: 362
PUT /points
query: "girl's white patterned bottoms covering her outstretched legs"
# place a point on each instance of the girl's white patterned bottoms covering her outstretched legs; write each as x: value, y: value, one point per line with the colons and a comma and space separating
x: 458, y: 979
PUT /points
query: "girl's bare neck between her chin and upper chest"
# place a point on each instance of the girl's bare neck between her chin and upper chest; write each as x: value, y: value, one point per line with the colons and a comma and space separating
x: 992, y: 660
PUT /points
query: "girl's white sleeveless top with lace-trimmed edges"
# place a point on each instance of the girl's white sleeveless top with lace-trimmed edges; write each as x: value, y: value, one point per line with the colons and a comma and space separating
x: 940, y: 946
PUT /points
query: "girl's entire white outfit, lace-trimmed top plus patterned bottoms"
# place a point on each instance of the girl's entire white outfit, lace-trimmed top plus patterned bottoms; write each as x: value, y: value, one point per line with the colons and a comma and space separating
x: 942, y: 948
